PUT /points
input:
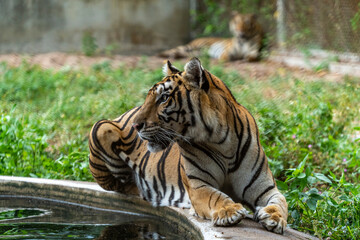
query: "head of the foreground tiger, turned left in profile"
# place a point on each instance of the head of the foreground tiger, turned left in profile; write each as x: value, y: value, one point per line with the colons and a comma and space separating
x: 185, y: 106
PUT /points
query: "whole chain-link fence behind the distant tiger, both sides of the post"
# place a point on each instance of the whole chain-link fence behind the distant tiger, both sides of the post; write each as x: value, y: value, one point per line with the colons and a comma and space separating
x: 294, y: 24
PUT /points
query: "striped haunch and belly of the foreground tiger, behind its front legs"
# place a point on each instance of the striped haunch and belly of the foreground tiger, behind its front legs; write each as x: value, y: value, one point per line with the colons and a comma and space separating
x: 119, y: 161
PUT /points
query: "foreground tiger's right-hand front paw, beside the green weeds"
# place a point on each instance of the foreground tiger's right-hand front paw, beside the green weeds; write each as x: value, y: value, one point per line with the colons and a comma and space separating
x: 271, y: 218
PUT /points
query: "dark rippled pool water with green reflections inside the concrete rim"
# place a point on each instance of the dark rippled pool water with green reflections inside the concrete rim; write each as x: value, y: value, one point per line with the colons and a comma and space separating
x: 40, y: 218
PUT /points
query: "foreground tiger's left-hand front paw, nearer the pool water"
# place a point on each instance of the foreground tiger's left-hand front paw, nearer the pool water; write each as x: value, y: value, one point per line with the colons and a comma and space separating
x: 229, y: 215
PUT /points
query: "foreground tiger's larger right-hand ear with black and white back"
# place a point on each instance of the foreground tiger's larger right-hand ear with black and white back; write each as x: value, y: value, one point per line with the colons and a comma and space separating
x: 194, y: 74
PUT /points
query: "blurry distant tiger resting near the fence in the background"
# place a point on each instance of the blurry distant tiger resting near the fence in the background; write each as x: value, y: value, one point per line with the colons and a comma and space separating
x: 245, y: 44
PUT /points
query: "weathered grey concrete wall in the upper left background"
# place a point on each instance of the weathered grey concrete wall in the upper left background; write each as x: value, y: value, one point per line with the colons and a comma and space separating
x: 132, y: 26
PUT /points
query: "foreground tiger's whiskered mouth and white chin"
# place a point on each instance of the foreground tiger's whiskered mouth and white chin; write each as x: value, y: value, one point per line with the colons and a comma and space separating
x: 158, y: 139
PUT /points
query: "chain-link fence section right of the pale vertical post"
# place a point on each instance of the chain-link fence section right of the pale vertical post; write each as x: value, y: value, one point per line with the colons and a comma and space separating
x: 324, y: 24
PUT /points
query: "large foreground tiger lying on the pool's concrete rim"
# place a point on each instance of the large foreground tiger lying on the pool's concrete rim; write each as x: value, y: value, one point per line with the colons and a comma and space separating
x: 189, y: 145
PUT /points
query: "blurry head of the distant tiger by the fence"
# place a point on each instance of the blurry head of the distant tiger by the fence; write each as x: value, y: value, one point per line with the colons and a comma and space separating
x: 244, y: 25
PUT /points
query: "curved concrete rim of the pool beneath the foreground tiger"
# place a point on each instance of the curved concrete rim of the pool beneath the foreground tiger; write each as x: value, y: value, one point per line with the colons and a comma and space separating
x: 91, y: 194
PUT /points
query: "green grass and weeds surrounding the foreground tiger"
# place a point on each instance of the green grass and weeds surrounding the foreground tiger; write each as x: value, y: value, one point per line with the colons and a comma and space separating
x: 307, y: 129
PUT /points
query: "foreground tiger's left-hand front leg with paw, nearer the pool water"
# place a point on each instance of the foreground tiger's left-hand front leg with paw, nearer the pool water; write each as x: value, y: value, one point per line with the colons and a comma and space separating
x: 210, y: 203
